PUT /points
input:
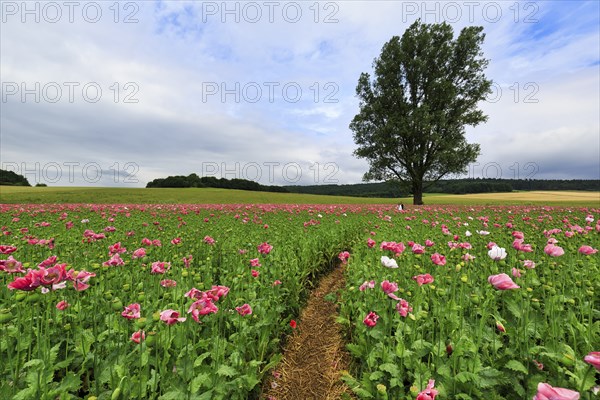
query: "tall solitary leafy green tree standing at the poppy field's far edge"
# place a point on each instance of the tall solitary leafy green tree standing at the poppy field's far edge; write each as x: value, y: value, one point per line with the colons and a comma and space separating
x: 411, y: 124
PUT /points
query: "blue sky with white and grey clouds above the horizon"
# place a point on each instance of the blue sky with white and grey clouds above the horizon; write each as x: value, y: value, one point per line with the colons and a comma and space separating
x: 118, y: 93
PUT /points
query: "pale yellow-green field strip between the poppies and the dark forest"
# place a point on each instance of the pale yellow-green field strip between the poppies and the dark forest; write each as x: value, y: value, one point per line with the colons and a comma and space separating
x: 14, y: 194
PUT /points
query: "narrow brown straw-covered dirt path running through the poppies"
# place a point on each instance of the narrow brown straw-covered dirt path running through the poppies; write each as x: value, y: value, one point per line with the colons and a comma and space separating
x: 315, y: 354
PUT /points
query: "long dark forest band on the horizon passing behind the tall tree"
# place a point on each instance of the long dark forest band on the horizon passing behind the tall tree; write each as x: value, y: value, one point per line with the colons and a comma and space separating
x: 382, y: 189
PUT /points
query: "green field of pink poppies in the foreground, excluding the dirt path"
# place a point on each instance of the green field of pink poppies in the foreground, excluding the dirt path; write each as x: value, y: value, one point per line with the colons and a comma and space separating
x: 195, y: 301
